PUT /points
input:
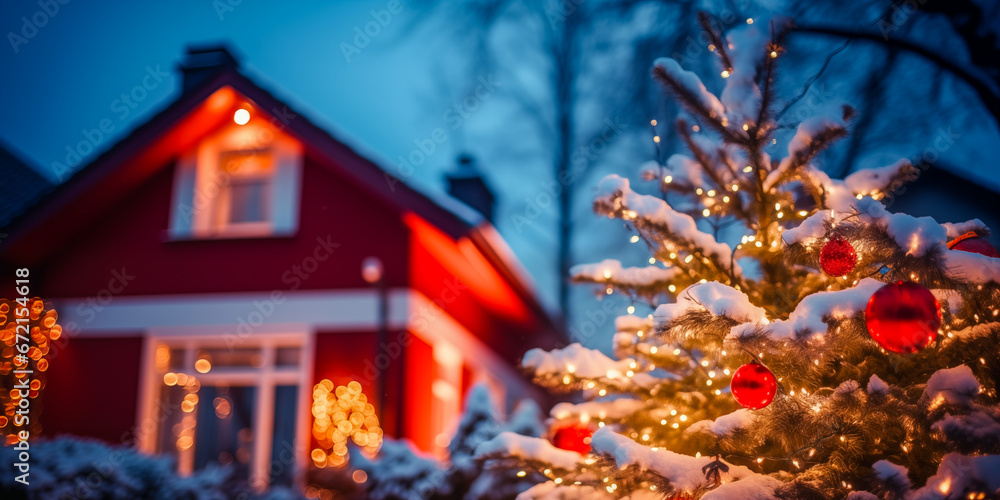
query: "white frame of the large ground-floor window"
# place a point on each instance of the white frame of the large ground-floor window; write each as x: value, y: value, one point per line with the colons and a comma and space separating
x: 265, y: 378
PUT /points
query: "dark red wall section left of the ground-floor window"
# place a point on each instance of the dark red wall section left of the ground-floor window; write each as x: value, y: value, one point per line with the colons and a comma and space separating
x: 92, y: 387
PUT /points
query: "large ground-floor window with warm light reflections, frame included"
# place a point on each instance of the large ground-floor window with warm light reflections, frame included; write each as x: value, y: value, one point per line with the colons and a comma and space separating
x: 231, y: 405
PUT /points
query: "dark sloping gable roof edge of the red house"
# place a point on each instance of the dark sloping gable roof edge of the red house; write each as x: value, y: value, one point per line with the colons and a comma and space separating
x: 150, y: 146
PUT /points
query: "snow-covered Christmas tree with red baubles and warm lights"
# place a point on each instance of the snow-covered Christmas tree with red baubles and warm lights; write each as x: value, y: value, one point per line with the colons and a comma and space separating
x: 805, y: 342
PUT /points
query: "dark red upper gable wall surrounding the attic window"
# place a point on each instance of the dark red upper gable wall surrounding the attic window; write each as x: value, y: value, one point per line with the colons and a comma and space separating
x: 131, y: 237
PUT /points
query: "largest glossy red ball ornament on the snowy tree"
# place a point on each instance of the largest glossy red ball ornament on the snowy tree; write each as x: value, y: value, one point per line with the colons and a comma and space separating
x: 903, y: 317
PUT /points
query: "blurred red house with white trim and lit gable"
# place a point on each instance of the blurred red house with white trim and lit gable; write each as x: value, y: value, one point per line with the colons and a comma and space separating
x: 207, y: 273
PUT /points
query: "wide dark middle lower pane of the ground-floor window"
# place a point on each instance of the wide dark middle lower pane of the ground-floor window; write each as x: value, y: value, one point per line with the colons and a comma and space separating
x: 224, y: 434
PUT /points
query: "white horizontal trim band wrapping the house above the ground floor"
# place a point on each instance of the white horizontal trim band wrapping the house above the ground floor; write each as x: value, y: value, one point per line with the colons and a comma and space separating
x: 298, y: 311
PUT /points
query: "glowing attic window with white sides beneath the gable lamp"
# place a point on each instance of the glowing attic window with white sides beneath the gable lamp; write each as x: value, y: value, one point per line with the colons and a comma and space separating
x: 242, y: 181
